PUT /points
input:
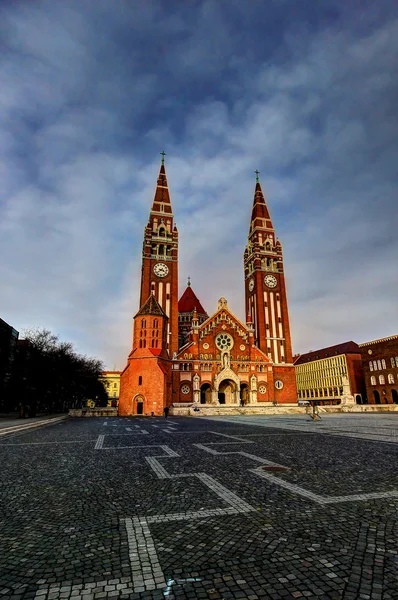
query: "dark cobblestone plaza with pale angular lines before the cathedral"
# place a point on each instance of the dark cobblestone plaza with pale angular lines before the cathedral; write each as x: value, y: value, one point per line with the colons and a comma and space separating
x: 234, y: 507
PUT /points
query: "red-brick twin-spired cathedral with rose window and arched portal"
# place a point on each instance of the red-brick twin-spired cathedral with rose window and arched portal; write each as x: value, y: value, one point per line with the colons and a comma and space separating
x: 183, y: 357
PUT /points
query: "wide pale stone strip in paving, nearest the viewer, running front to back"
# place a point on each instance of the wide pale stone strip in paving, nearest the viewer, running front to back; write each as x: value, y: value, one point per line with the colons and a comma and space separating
x: 146, y: 571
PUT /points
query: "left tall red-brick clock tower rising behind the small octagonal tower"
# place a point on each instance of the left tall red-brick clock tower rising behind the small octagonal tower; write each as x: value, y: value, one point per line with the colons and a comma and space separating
x: 160, y: 259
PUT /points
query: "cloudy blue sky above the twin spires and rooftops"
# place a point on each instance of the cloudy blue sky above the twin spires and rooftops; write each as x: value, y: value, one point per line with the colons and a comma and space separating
x: 91, y: 93
